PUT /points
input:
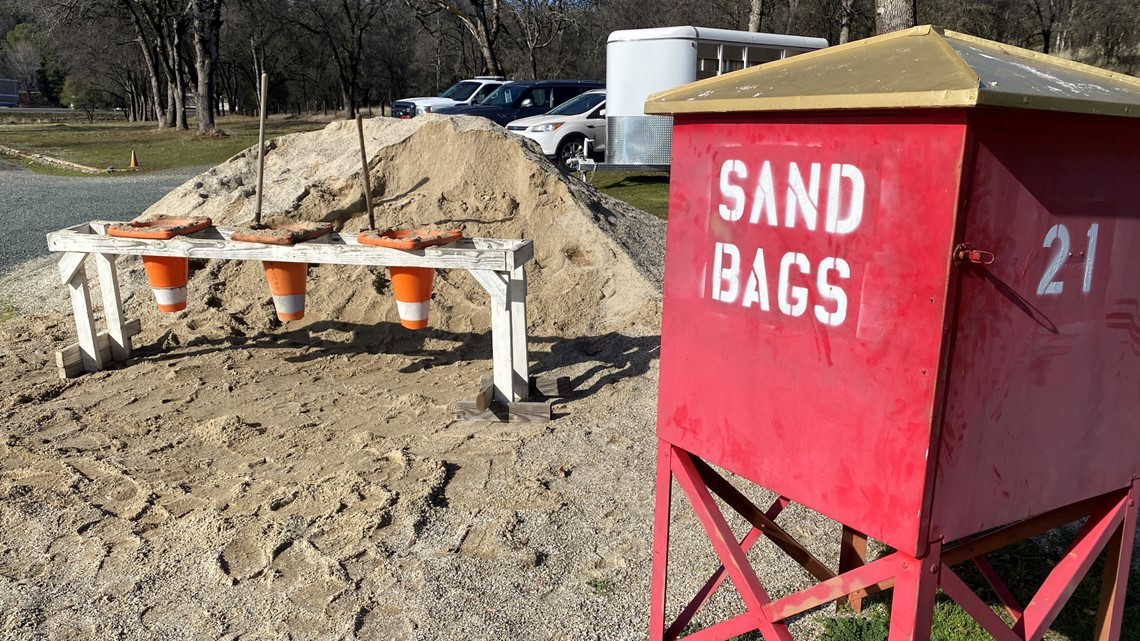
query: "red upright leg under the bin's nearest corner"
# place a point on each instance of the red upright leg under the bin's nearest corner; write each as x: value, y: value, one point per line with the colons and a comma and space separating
x: 913, y: 606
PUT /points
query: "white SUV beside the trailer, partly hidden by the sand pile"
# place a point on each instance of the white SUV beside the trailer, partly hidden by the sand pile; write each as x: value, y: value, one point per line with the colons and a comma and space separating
x: 564, y: 132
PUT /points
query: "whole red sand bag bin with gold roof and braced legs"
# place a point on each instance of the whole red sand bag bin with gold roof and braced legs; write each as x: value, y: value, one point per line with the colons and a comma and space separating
x: 902, y: 289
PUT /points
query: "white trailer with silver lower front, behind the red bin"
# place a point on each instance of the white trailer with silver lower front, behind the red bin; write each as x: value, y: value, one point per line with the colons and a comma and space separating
x: 640, y: 62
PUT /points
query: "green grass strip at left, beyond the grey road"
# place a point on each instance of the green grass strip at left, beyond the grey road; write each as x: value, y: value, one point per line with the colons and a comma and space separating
x: 110, y: 144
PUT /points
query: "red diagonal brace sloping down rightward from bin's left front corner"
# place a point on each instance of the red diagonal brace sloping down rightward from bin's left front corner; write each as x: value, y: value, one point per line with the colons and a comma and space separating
x: 727, y: 548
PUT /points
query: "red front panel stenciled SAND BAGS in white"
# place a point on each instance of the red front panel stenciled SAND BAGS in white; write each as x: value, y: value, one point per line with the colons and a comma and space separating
x: 815, y: 336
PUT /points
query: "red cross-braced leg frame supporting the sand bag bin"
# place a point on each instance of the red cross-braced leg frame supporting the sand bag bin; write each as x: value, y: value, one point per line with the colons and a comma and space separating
x: 916, y: 581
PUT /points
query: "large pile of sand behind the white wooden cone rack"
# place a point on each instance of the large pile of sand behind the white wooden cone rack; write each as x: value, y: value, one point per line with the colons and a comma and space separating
x: 598, y: 262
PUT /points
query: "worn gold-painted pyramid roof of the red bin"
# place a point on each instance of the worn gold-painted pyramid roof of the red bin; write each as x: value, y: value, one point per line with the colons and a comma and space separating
x: 924, y: 67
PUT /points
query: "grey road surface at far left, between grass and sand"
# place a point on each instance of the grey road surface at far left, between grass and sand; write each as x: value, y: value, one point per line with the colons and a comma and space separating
x: 32, y: 205
